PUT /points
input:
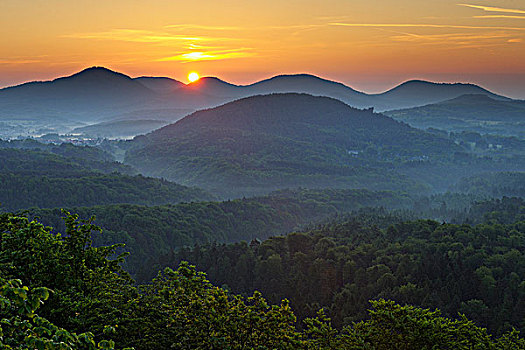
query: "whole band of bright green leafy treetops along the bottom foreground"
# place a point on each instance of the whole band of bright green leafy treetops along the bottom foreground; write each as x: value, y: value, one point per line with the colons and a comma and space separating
x: 89, y: 302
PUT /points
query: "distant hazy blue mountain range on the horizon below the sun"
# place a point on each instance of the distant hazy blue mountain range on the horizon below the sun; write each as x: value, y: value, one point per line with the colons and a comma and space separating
x: 98, y: 94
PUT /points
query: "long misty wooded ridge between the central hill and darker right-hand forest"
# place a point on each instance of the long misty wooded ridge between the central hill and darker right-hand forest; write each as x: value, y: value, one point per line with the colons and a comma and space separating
x: 151, y: 232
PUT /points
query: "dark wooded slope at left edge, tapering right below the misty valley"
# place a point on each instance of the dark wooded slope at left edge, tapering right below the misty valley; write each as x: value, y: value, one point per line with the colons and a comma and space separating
x: 42, y: 179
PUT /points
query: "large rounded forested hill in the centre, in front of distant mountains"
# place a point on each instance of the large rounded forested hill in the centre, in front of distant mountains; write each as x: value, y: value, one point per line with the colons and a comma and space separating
x: 262, y: 143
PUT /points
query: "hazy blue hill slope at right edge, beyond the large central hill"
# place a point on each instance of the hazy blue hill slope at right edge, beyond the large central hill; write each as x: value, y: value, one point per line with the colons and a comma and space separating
x: 472, y: 112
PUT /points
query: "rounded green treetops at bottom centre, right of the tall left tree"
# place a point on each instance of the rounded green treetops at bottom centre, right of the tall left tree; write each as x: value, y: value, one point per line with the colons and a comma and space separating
x: 181, y: 309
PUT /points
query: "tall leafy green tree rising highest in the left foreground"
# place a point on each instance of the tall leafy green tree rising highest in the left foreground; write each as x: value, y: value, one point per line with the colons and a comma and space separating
x: 86, y: 284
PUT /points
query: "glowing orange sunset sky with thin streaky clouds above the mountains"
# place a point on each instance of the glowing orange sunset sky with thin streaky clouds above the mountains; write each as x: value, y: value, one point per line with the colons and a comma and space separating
x: 370, y: 45
